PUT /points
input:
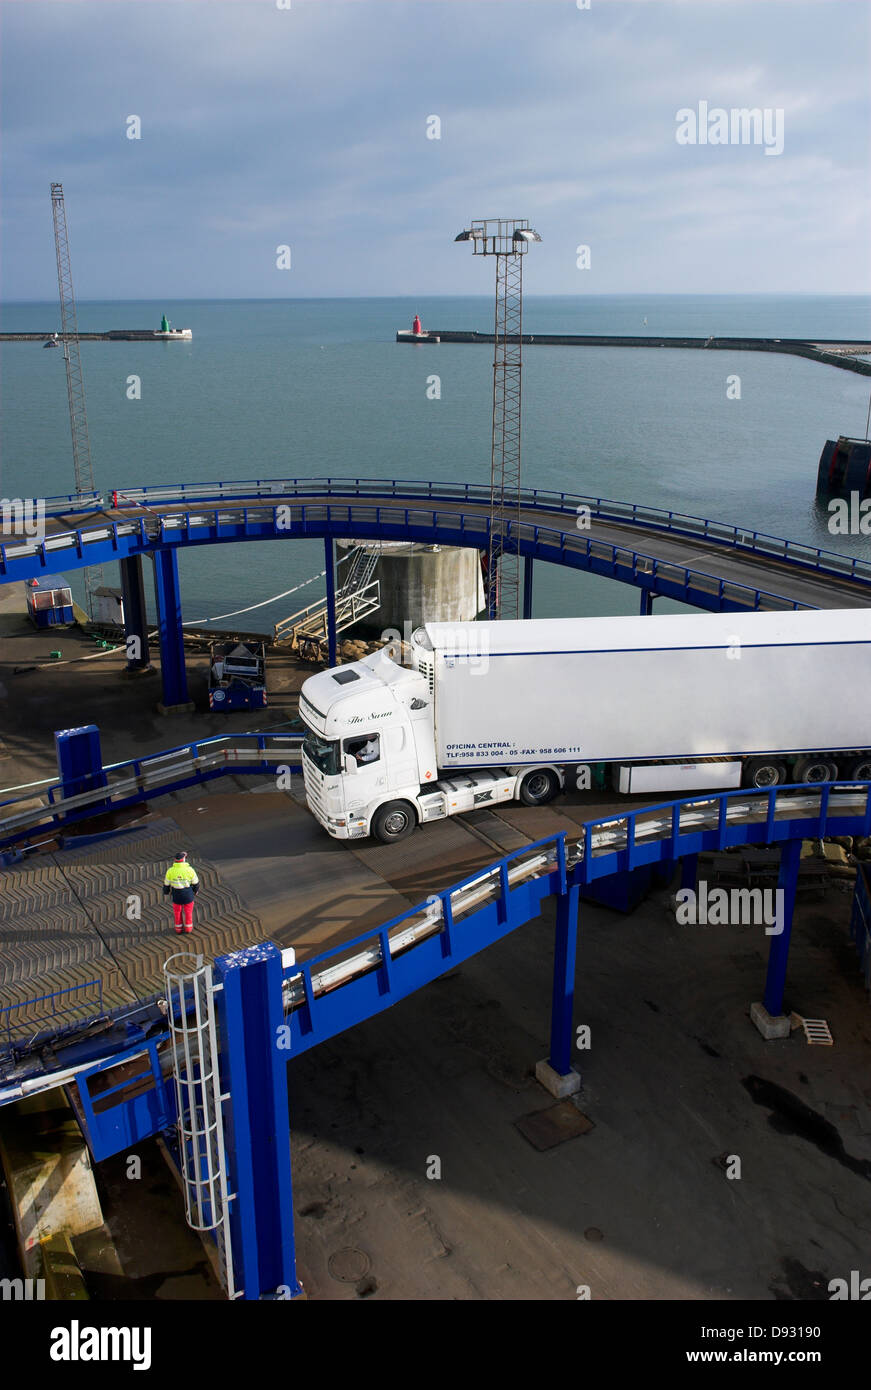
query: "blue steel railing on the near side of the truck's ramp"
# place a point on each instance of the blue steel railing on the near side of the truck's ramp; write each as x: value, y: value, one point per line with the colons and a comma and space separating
x: 358, y: 979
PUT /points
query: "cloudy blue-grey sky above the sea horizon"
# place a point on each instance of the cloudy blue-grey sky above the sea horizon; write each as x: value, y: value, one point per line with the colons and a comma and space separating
x: 309, y: 124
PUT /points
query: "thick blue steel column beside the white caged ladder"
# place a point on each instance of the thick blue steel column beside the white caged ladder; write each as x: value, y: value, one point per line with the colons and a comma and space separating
x: 258, y: 1127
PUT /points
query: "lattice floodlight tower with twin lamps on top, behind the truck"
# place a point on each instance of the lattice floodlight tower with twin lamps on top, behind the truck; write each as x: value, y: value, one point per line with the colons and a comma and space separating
x: 508, y: 240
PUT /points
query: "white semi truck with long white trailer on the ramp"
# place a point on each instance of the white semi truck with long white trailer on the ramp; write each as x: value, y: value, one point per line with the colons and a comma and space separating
x: 491, y: 712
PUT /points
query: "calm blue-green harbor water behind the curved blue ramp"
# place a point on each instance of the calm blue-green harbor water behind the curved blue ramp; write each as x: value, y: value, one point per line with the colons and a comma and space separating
x: 320, y: 389
